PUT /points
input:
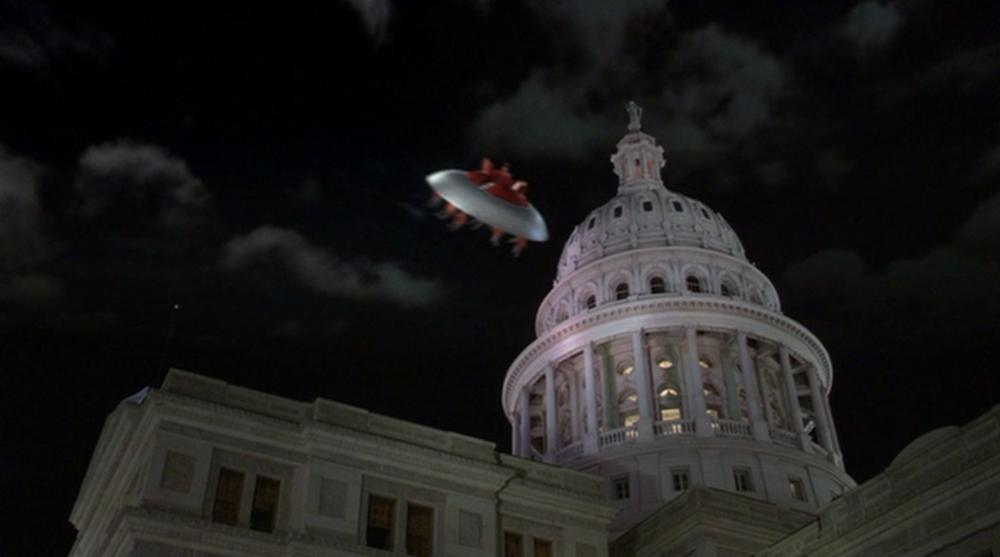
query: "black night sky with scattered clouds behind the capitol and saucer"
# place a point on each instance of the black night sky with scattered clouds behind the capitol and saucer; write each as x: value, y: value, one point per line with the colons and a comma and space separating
x: 263, y: 169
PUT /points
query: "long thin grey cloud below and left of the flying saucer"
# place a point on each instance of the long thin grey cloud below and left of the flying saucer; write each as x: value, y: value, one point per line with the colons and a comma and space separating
x: 323, y: 272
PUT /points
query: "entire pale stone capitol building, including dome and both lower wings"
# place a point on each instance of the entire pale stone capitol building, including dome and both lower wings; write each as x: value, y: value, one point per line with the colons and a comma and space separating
x: 667, y: 408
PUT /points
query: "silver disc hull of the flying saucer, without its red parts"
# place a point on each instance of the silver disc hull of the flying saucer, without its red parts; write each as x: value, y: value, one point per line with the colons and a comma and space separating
x: 455, y: 187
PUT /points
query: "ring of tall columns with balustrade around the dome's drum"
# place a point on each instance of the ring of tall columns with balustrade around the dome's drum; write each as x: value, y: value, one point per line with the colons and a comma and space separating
x: 586, y: 437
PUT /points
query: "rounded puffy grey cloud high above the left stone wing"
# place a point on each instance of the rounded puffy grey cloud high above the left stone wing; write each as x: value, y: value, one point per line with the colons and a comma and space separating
x: 142, y: 180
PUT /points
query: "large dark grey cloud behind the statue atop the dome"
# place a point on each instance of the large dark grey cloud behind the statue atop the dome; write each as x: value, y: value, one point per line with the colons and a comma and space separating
x: 704, y: 95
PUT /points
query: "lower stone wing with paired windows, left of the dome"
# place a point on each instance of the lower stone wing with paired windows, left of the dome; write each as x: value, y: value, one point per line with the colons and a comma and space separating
x: 156, y: 482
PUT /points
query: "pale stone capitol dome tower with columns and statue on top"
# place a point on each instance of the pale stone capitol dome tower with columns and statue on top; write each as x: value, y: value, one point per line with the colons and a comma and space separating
x: 663, y: 359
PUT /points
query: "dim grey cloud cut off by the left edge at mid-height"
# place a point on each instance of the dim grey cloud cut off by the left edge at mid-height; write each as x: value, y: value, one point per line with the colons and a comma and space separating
x: 23, y: 242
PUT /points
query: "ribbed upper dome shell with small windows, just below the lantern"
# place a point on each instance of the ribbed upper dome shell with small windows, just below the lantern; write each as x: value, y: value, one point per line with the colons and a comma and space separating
x: 646, y: 216
